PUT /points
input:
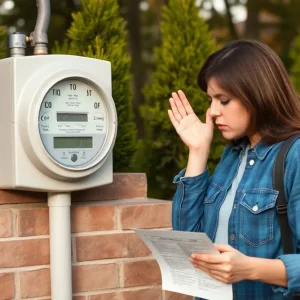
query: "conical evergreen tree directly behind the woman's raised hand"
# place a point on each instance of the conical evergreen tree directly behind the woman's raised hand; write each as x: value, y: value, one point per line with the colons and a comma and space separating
x: 186, y: 44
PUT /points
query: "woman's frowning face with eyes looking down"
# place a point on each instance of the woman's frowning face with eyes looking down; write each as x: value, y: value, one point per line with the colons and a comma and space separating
x: 231, y: 116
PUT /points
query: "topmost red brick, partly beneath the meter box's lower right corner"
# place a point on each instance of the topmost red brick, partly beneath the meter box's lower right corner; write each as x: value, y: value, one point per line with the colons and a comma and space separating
x: 124, y: 186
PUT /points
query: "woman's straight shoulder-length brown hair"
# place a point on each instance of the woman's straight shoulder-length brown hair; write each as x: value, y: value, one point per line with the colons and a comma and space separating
x: 253, y: 73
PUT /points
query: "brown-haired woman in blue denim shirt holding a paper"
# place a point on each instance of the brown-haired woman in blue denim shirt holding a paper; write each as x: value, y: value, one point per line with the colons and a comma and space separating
x: 255, y: 107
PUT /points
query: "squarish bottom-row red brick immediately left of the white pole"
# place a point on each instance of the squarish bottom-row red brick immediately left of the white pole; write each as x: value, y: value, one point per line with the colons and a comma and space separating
x: 41, y: 286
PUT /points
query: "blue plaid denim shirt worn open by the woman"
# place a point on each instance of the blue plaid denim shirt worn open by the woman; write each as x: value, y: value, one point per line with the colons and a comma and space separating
x: 253, y: 227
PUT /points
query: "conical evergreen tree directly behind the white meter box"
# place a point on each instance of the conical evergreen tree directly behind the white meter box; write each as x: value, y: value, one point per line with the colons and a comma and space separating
x: 98, y: 31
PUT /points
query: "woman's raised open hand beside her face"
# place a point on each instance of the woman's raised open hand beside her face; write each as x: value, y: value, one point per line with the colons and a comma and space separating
x: 194, y: 133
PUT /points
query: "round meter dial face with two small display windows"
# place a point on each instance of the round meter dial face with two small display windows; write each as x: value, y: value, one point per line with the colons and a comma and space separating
x: 73, y: 123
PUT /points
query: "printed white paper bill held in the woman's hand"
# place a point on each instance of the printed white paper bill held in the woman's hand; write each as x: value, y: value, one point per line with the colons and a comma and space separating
x: 172, y: 250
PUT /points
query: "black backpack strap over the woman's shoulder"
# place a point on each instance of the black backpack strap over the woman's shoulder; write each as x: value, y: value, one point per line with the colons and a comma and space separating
x: 278, y: 184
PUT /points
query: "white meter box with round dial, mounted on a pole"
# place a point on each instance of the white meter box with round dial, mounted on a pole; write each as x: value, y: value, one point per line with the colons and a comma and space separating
x: 58, y: 123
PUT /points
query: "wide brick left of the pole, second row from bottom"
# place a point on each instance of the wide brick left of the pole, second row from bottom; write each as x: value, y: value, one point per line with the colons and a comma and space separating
x: 24, y: 253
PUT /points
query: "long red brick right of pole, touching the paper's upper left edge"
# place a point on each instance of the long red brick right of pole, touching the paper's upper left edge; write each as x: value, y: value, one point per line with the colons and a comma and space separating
x: 110, y: 246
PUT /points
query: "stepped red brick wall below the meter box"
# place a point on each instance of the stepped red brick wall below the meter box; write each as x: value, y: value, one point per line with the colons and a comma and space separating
x: 109, y: 261
